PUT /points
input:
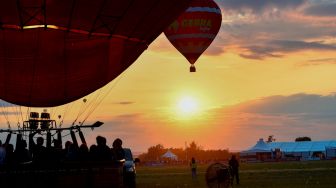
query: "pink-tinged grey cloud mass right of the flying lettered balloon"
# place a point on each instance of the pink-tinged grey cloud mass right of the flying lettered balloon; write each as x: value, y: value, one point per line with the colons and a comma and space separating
x: 262, y: 29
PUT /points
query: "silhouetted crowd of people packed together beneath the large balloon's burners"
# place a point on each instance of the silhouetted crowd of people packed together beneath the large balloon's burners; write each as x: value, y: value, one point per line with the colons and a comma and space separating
x: 38, y: 153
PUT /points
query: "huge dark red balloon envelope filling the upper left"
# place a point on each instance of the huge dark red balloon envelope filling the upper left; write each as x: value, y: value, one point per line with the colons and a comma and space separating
x: 56, y: 51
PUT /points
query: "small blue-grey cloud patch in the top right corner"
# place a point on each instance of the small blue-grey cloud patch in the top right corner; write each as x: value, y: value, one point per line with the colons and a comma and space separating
x: 325, y: 8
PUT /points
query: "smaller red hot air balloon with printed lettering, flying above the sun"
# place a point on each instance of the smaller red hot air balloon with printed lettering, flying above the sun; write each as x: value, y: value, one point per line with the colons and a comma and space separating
x: 195, y: 29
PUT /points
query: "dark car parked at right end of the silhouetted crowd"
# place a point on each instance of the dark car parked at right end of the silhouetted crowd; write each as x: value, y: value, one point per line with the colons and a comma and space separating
x: 129, y: 168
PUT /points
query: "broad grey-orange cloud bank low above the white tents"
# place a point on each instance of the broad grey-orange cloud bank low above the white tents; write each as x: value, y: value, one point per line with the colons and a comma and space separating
x: 286, y: 117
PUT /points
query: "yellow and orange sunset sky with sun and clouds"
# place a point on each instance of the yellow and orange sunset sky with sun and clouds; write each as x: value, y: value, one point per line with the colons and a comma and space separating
x: 270, y: 71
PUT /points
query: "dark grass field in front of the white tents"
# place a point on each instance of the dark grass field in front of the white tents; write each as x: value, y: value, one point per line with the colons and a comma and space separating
x: 317, y: 174
